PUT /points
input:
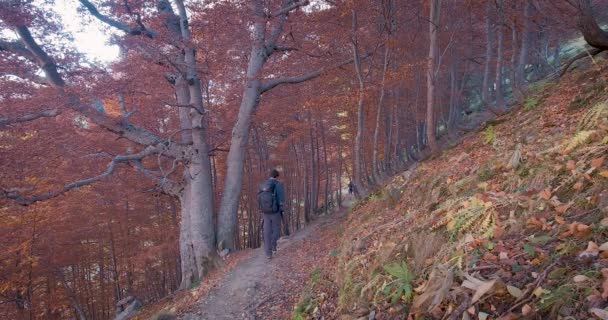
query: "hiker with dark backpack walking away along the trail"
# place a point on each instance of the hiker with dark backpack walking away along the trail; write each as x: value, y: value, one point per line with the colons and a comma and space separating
x: 271, y: 198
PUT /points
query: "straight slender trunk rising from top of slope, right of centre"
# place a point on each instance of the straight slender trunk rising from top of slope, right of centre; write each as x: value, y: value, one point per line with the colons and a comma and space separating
x: 431, y: 73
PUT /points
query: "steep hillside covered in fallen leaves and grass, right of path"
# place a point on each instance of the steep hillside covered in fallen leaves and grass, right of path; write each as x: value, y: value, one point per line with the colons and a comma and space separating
x: 511, y: 223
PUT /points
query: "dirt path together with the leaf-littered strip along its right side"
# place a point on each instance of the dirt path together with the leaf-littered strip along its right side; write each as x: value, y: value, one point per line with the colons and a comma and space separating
x: 258, y: 288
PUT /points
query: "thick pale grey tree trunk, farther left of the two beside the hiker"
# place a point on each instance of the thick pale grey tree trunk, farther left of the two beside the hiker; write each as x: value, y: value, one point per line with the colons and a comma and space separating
x: 197, y: 196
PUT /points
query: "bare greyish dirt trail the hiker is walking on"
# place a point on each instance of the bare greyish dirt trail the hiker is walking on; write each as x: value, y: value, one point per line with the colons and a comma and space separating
x: 255, y: 281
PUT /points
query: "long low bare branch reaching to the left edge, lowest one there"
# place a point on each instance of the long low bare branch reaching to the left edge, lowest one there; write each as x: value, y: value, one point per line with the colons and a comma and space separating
x: 13, y: 194
